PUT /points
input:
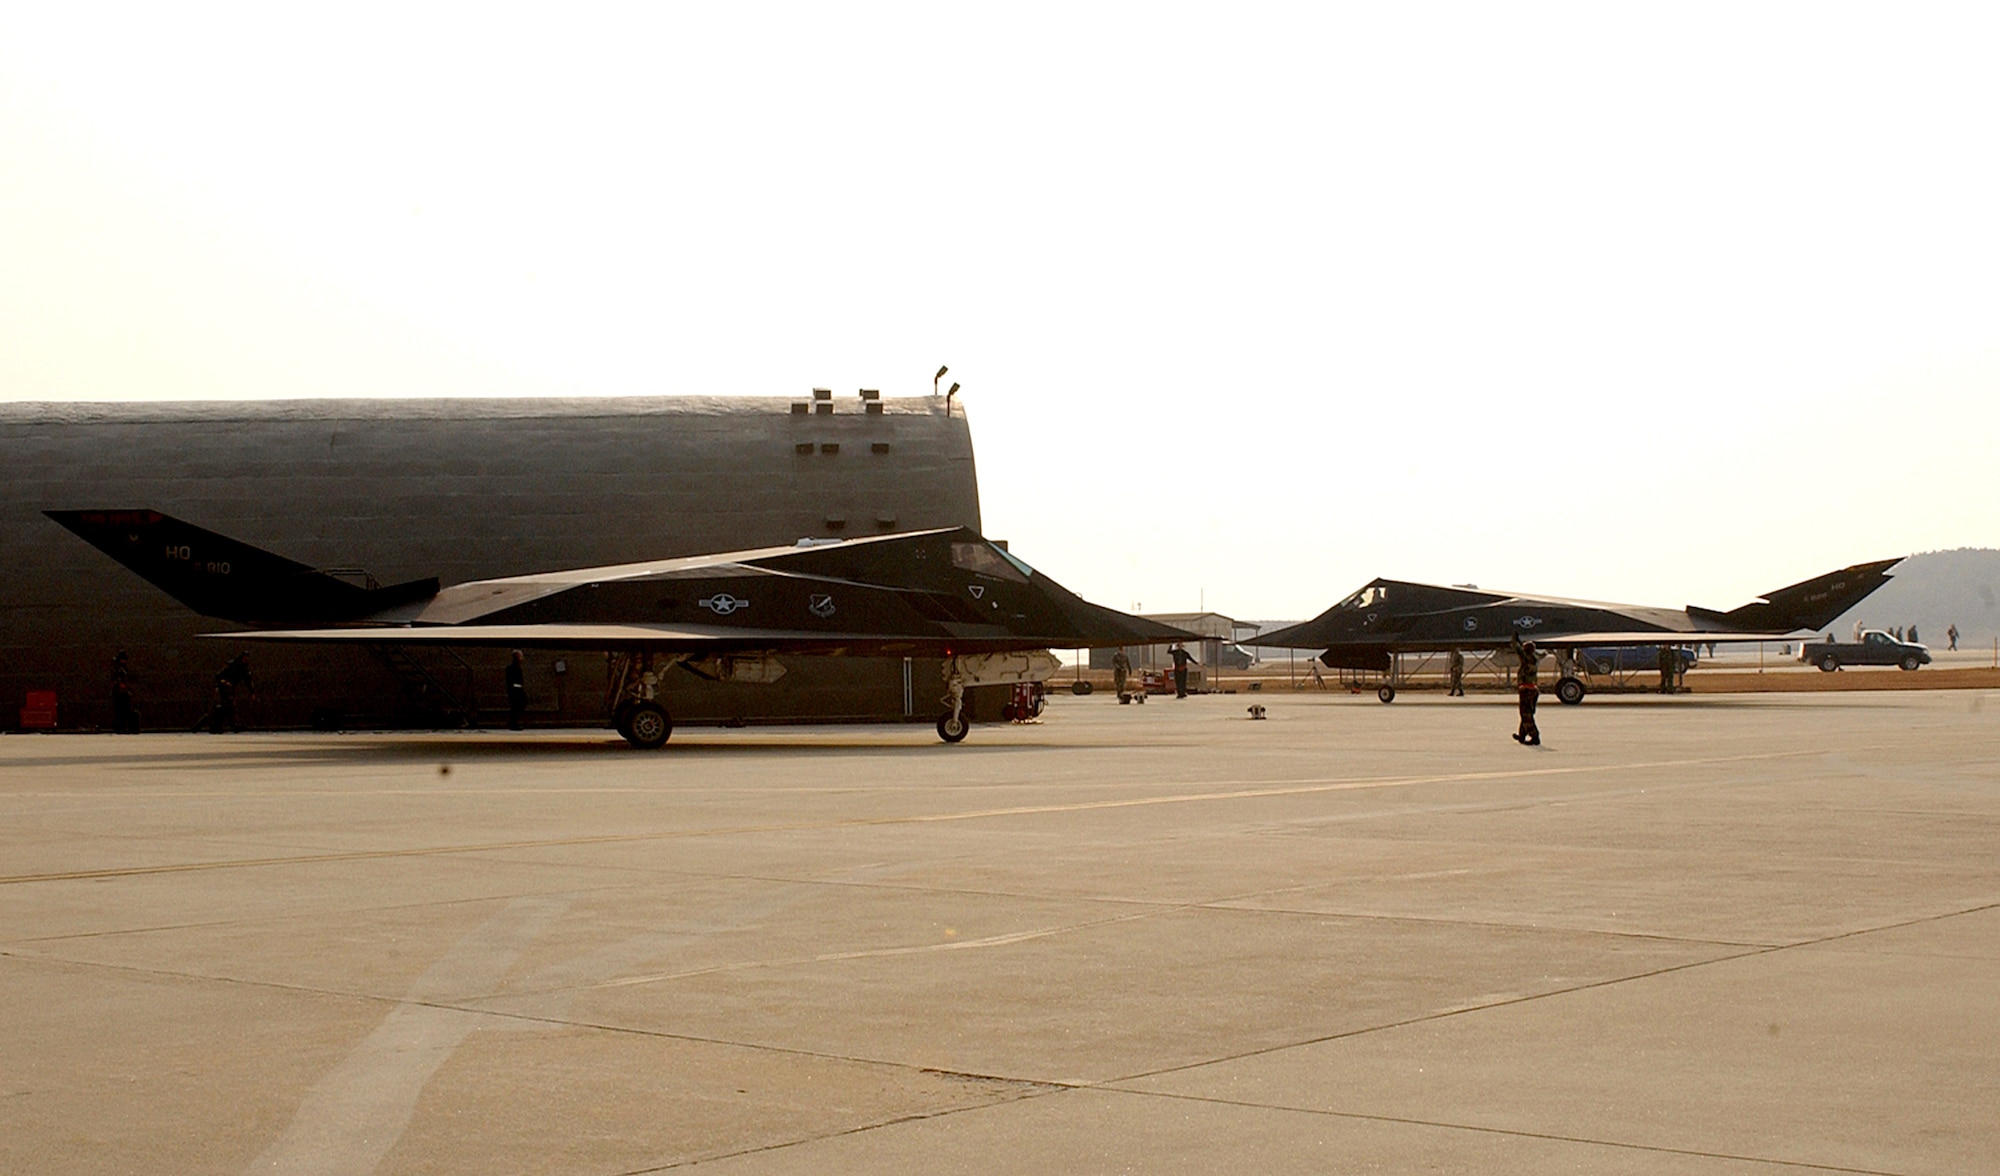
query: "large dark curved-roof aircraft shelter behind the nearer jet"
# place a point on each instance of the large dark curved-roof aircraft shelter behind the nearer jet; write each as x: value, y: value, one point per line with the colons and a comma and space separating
x: 461, y: 491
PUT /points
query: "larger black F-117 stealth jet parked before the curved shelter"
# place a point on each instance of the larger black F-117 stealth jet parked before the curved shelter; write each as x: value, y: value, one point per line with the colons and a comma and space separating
x: 727, y: 617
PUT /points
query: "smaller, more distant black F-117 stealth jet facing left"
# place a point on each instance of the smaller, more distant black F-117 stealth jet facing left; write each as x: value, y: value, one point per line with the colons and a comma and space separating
x: 1393, y: 617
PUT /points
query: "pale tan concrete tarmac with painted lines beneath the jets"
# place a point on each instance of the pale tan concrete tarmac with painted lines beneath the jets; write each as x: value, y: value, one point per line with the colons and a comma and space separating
x: 1691, y: 935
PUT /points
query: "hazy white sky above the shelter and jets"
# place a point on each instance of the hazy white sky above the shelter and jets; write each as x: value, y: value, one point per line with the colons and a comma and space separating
x: 1251, y: 303
